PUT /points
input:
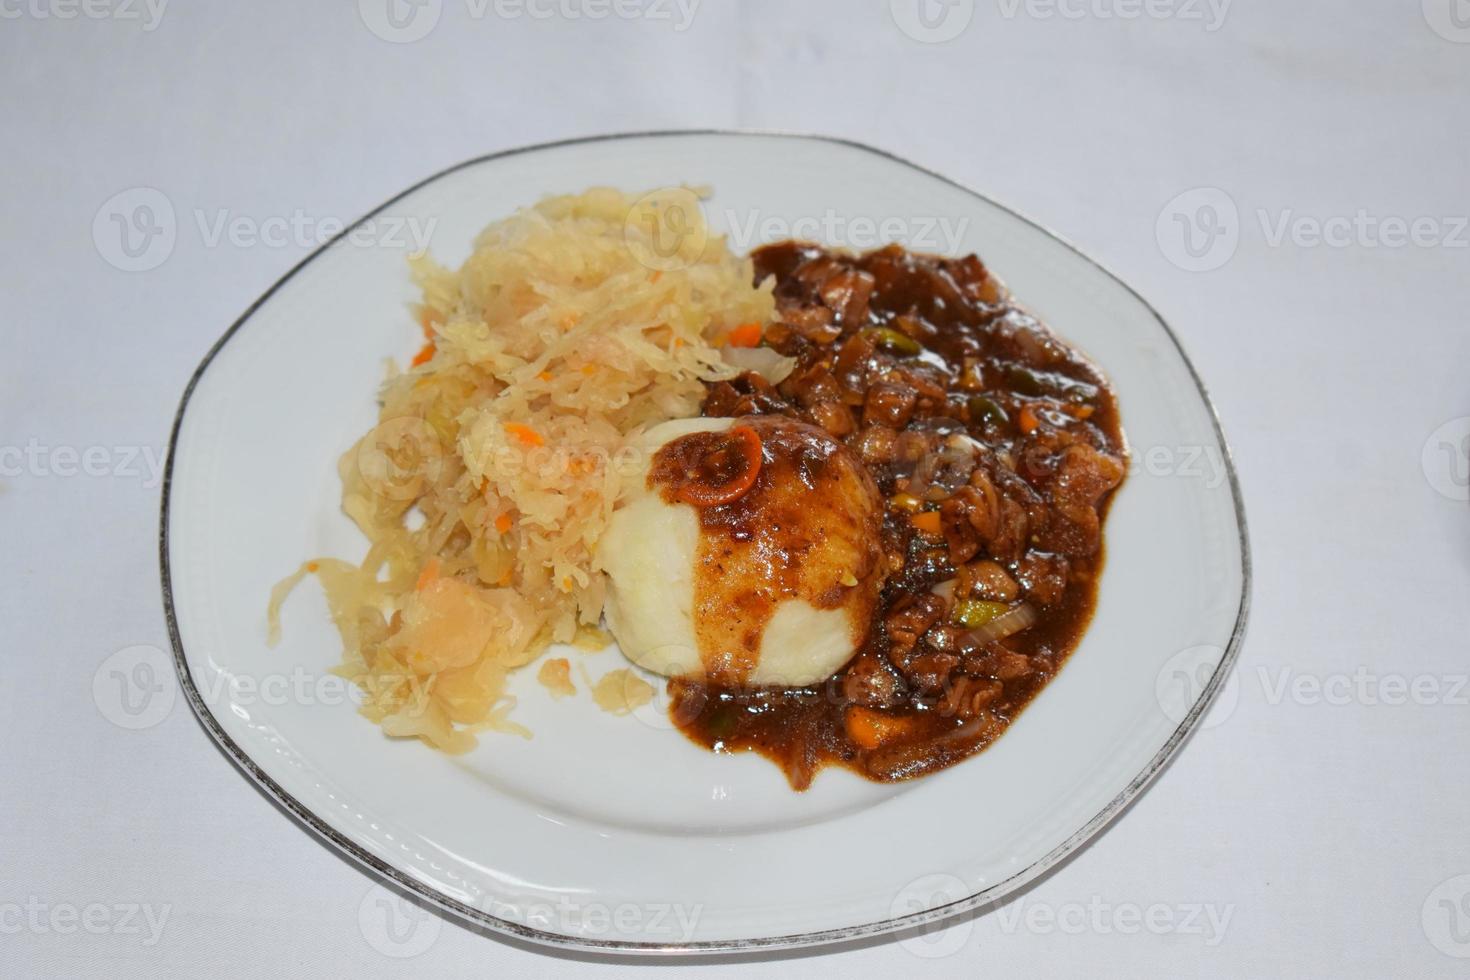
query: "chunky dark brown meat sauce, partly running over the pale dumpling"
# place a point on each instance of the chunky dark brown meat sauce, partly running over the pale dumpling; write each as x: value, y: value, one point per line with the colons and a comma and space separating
x: 996, y: 450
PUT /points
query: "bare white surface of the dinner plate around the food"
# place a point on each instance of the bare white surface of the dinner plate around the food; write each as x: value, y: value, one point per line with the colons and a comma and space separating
x: 615, y: 832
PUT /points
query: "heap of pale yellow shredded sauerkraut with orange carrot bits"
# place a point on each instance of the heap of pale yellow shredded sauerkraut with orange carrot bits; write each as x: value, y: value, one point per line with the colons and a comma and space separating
x: 498, y: 461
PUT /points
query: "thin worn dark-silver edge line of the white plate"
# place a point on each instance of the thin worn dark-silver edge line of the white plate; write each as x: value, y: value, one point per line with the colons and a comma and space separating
x: 797, y: 941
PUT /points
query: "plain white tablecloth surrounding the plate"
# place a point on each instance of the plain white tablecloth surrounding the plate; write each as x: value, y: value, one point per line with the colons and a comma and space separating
x: 1319, y: 816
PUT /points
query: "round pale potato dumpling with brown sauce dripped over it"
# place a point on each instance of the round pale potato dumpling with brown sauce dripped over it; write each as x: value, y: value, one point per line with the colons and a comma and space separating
x: 745, y: 553
